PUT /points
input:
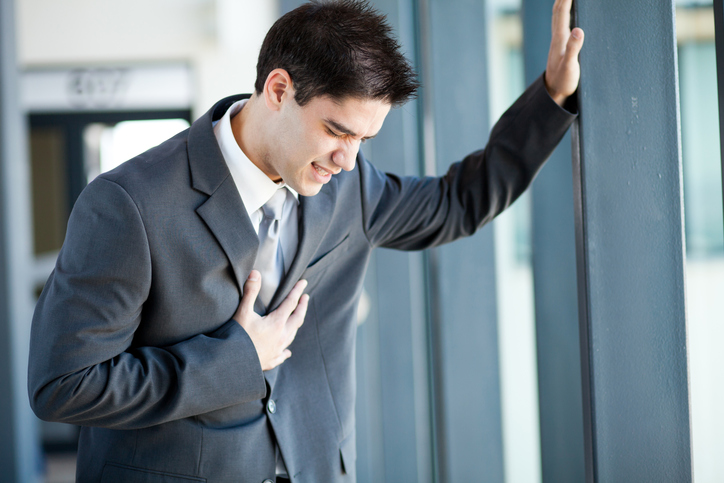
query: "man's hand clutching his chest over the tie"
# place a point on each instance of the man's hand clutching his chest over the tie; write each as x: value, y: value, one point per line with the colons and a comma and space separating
x: 275, y: 332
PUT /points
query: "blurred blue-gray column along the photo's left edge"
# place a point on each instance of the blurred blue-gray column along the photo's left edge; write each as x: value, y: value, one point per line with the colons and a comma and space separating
x: 18, y: 433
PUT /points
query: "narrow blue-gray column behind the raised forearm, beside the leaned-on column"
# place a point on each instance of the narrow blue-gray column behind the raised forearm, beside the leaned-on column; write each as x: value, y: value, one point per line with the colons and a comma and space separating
x: 554, y: 274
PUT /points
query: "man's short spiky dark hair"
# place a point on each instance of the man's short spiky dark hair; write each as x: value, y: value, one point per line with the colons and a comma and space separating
x: 339, y: 49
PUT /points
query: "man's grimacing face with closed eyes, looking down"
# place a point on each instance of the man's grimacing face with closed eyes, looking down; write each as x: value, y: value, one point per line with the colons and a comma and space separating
x: 320, y: 139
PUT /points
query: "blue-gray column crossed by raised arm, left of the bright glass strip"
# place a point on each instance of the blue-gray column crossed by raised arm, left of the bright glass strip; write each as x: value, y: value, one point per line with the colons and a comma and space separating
x: 465, y: 337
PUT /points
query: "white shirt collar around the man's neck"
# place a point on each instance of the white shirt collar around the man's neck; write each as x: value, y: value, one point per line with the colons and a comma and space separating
x: 253, y: 185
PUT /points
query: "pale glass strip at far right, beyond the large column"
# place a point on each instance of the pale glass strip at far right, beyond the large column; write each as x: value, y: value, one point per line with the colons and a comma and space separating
x: 704, y: 234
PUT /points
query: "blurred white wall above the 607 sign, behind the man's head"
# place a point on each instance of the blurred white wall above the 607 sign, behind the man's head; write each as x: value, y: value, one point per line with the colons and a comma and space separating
x: 219, y: 39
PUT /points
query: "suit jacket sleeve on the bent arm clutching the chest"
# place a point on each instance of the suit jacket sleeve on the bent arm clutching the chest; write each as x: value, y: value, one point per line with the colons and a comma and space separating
x: 83, y: 368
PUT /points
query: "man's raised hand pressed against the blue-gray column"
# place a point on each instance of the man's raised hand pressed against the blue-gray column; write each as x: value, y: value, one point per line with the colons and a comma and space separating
x: 563, y: 70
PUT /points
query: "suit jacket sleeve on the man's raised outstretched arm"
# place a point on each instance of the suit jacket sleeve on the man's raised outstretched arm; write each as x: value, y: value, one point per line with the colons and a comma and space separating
x: 412, y: 213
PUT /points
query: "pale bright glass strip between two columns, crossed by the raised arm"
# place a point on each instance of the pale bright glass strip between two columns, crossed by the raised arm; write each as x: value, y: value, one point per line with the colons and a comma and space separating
x: 514, y: 273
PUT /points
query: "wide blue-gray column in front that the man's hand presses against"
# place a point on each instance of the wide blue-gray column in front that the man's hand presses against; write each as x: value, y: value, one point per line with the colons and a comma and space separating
x: 630, y: 245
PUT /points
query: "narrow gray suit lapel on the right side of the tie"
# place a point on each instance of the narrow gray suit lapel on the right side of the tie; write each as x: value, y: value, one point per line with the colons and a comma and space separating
x: 316, y: 215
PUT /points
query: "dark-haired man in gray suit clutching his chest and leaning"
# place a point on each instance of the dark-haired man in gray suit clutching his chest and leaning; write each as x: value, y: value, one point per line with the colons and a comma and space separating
x: 148, y: 333
